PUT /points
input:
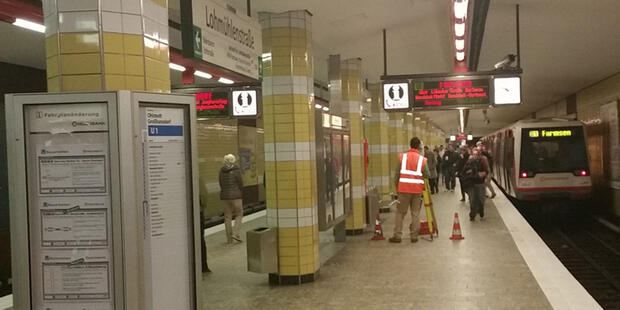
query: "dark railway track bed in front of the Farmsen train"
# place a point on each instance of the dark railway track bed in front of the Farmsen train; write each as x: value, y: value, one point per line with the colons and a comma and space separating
x: 591, y: 252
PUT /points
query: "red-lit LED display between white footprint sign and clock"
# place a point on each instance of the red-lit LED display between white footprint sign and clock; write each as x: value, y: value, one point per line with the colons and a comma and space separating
x: 451, y: 94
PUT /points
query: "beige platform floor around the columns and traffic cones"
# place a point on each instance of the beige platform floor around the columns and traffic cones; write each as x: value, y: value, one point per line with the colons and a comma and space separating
x: 483, y: 271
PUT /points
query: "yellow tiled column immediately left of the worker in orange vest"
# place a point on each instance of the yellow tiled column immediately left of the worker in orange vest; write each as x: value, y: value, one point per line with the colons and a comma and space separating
x: 378, y: 143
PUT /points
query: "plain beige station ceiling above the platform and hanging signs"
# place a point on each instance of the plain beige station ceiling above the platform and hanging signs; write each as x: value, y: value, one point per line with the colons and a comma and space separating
x: 566, y: 45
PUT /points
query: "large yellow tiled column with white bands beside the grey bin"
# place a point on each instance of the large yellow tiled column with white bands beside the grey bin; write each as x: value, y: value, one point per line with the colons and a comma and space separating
x: 290, y: 159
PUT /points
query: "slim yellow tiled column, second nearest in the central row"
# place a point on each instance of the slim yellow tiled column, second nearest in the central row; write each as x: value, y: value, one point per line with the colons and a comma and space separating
x: 350, y: 70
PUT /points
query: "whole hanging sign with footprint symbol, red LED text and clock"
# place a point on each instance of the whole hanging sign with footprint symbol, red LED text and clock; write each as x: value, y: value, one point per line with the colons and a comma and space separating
x: 469, y: 90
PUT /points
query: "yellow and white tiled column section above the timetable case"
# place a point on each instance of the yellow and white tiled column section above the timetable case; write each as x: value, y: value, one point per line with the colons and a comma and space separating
x: 93, y: 45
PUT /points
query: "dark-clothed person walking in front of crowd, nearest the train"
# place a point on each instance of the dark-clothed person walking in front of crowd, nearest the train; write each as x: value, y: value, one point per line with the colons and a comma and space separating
x: 475, y: 171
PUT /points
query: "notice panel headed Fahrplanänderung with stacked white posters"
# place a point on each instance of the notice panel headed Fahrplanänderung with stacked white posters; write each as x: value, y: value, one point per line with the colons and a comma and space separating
x: 71, y: 246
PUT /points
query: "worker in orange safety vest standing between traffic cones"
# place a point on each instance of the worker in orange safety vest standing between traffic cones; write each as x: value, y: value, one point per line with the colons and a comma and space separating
x: 410, y: 176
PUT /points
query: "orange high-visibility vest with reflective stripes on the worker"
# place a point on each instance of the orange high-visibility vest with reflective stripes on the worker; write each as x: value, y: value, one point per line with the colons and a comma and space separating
x: 411, y: 179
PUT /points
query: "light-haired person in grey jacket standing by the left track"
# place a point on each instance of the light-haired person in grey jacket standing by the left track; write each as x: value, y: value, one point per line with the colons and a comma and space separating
x: 231, y: 185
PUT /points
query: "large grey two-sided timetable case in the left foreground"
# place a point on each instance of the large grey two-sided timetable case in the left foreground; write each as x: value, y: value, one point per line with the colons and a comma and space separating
x: 104, y: 201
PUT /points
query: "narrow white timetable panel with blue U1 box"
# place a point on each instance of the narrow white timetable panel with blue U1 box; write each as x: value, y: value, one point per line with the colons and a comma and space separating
x: 167, y: 236
